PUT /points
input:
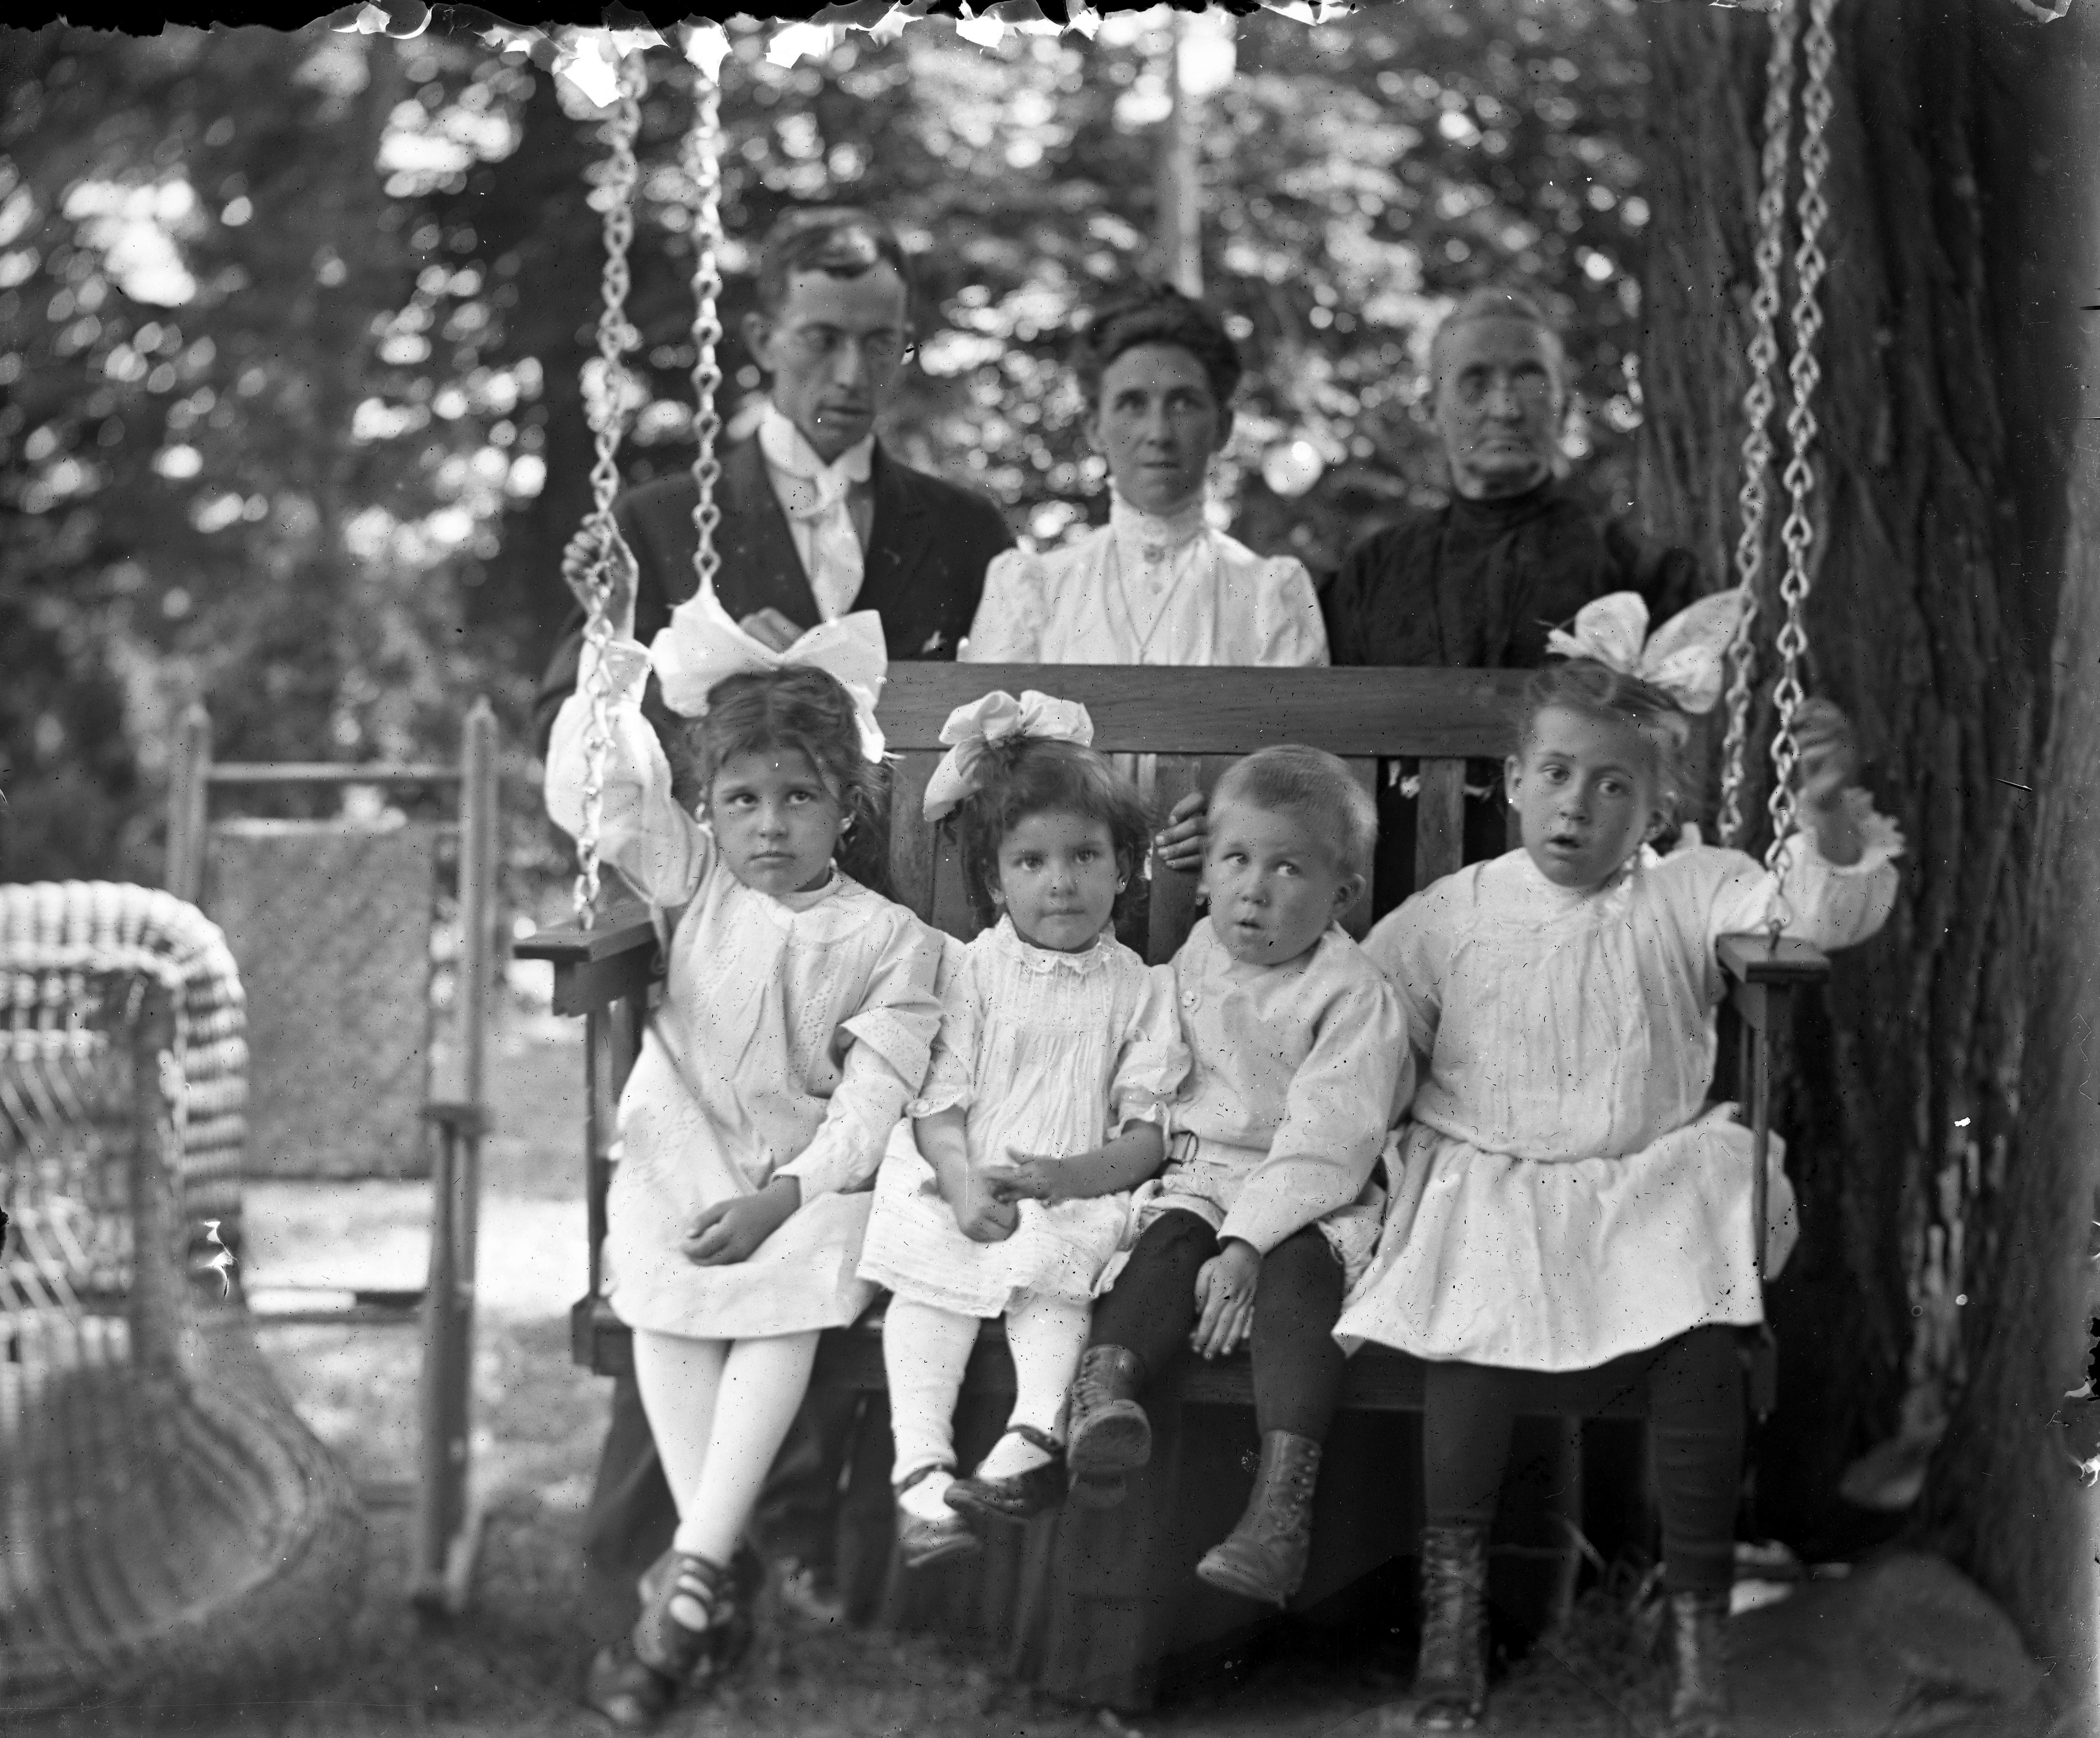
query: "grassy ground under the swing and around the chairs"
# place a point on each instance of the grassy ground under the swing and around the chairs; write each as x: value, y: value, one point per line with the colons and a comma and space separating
x: 509, y: 1668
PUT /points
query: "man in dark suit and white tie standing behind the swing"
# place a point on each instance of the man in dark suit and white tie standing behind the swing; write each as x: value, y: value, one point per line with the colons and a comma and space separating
x: 818, y: 522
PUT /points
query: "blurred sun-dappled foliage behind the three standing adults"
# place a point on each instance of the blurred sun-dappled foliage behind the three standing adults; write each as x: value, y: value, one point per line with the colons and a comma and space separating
x: 291, y: 328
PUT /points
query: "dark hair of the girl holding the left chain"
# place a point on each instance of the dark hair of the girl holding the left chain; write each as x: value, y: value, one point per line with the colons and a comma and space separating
x: 810, y: 713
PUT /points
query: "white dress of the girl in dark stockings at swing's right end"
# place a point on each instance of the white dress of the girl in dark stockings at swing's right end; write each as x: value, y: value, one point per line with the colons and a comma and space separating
x: 1563, y: 1193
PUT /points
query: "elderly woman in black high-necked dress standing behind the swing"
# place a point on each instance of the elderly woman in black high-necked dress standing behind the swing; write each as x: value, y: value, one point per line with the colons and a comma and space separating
x: 1515, y: 553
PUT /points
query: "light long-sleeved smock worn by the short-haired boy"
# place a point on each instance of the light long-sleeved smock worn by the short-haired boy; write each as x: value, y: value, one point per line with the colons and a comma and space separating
x: 1297, y: 1074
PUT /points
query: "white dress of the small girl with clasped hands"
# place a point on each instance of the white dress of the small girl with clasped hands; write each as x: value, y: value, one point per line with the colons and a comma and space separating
x: 1045, y: 1053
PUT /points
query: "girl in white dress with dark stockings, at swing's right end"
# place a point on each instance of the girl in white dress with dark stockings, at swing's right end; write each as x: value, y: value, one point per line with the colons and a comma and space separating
x: 1568, y: 1204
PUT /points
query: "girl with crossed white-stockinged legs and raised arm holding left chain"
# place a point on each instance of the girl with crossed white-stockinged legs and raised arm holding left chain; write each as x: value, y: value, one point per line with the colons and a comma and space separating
x: 797, y: 1021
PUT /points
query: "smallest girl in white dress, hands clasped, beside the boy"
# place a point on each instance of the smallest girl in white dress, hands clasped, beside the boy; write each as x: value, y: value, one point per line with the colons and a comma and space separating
x: 1055, y: 1059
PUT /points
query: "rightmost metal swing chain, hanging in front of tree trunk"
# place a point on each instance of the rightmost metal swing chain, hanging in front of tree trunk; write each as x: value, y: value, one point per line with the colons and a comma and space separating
x: 1805, y: 373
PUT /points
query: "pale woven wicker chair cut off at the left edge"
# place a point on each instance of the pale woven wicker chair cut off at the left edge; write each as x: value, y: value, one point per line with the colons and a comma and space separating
x: 169, y: 1529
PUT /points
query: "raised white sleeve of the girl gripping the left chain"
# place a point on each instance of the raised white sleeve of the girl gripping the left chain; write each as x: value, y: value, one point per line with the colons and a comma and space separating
x: 642, y: 830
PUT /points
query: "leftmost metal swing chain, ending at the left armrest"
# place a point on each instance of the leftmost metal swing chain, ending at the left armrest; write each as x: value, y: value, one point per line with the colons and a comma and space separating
x: 608, y: 412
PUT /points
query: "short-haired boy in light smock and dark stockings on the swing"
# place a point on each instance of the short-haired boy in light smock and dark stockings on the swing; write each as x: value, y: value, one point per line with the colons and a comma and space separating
x: 1267, y: 1206
